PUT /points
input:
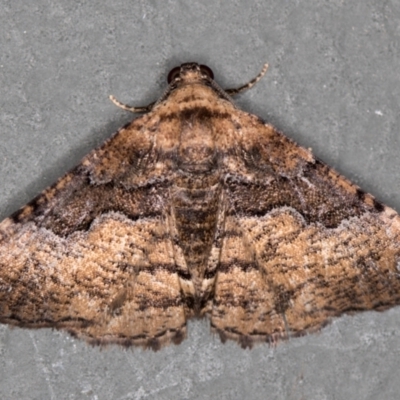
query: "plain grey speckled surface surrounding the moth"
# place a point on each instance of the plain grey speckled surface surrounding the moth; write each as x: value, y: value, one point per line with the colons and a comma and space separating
x: 333, y: 85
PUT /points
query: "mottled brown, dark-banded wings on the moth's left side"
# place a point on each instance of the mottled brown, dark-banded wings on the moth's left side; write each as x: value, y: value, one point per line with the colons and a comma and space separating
x: 94, y: 253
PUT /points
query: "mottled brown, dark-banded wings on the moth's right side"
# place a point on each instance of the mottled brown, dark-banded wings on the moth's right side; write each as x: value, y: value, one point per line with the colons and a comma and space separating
x: 302, y: 244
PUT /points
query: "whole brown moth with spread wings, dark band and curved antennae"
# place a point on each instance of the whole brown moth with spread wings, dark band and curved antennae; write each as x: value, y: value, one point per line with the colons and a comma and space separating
x: 197, y: 209
